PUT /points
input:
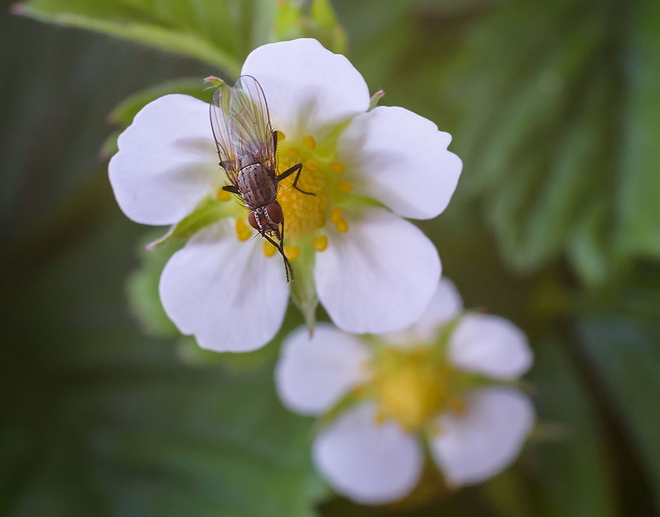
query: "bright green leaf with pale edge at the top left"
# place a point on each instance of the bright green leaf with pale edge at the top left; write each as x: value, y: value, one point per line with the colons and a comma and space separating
x: 218, y: 32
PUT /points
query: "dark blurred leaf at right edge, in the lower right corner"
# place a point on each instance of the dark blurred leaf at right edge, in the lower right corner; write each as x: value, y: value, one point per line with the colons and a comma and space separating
x: 626, y: 355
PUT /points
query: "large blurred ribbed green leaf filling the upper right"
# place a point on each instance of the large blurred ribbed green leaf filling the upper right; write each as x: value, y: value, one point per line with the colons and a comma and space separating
x: 553, y: 109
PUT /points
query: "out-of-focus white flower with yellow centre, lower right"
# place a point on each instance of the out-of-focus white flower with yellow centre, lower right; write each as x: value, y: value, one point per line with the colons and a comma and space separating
x: 410, y: 387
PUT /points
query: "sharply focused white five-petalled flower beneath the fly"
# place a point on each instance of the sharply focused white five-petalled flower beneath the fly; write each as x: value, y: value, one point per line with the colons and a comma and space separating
x: 373, y: 271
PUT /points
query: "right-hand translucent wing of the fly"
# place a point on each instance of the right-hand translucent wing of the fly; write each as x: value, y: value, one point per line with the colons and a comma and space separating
x: 250, y: 131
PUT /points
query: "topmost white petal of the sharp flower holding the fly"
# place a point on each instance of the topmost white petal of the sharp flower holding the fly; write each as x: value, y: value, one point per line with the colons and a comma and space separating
x: 309, y: 89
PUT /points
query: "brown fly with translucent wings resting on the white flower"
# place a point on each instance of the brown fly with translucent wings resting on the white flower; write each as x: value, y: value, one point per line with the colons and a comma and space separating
x: 247, y: 146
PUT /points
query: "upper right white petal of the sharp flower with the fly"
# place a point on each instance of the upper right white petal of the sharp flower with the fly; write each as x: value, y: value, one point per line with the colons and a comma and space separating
x: 400, y: 159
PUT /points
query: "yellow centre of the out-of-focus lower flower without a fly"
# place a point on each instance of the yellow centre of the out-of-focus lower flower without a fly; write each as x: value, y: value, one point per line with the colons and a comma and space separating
x: 412, y: 387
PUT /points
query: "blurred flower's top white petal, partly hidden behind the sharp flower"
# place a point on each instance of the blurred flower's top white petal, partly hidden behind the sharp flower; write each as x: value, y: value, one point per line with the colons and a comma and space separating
x: 445, y: 305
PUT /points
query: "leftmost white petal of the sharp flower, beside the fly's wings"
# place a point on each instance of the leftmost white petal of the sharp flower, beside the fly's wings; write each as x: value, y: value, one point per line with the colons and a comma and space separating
x: 167, y: 161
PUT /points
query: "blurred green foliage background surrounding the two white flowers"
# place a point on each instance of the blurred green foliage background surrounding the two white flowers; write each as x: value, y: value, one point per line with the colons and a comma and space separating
x: 555, y: 110
